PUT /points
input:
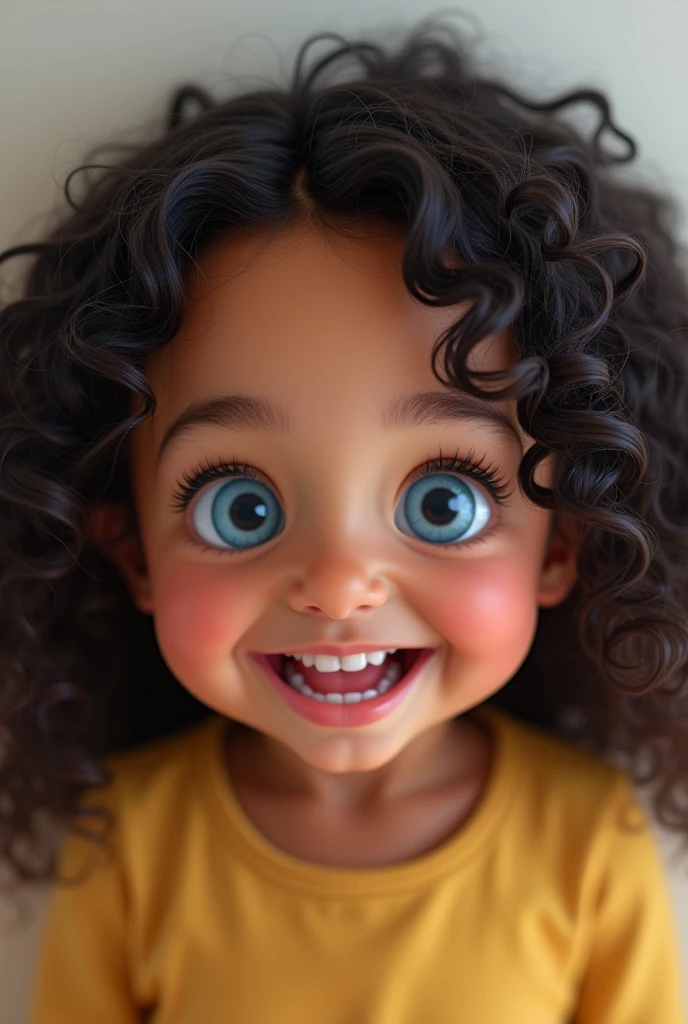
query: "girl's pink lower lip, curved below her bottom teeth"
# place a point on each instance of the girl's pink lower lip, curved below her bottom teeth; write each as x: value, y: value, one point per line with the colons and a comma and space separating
x: 351, y: 716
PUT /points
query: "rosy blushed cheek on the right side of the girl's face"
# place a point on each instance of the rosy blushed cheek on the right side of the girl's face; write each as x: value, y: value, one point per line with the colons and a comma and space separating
x: 485, y: 609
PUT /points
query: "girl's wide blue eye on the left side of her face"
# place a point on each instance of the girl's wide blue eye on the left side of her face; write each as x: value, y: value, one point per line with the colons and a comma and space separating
x: 238, y: 515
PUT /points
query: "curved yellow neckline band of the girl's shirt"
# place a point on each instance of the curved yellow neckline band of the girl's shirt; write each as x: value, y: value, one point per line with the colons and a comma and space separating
x: 291, y: 873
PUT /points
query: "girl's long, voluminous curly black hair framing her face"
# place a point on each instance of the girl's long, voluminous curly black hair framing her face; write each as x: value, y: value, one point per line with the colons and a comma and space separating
x: 581, y: 268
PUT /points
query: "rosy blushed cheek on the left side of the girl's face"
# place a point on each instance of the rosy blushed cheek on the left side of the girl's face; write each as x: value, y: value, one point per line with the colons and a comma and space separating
x: 198, y: 617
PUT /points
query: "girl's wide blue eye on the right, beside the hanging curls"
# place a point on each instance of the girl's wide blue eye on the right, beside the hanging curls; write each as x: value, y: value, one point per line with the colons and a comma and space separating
x: 443, y: 509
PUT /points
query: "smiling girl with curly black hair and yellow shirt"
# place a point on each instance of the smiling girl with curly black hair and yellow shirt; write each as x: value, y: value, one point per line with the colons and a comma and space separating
x: 345, y: 483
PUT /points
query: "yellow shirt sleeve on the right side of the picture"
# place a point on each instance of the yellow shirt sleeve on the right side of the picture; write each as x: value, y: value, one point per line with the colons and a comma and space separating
x: 633, y: 973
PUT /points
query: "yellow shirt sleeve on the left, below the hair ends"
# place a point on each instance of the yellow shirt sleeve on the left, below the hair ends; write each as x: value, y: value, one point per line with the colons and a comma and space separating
x: 82, y: 972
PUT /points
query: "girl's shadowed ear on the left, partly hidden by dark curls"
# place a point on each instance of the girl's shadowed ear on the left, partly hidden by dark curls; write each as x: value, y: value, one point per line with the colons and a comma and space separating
x: 116, y: 535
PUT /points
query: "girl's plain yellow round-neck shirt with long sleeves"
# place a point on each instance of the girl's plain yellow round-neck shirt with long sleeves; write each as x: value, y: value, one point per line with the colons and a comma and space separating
x: 544, y: 909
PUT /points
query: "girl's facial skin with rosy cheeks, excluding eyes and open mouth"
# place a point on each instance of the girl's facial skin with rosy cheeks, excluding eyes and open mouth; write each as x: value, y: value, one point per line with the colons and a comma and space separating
x: 328, y: 332
